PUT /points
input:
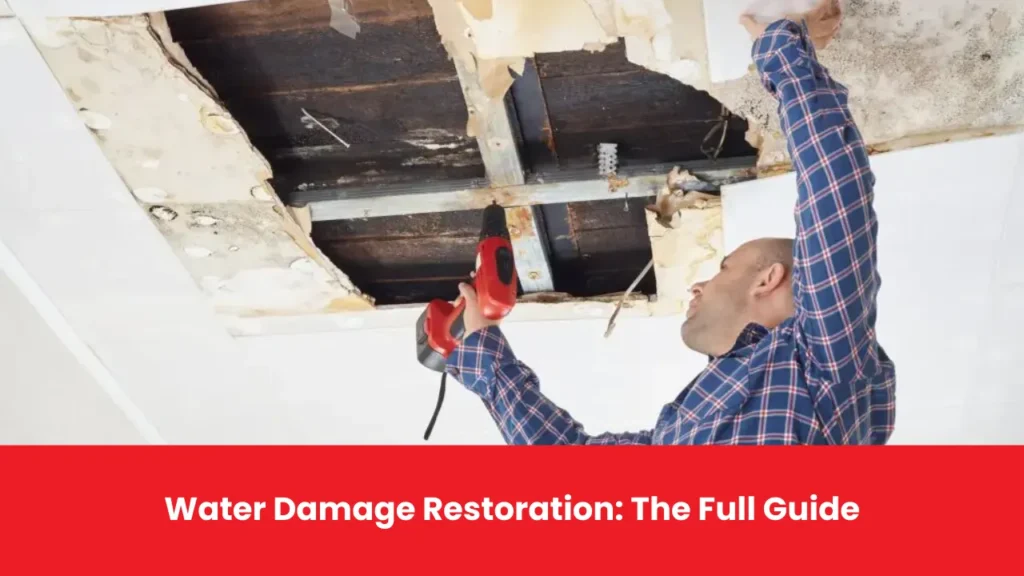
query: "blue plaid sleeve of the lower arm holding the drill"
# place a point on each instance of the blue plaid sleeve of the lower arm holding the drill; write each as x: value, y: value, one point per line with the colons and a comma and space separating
x: 484, y: 362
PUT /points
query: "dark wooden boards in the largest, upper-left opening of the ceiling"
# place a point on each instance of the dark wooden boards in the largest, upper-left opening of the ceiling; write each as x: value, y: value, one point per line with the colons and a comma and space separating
x: 393, y: 93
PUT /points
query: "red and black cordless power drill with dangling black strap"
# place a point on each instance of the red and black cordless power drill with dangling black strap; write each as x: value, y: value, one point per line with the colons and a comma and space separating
x: 441, y: 327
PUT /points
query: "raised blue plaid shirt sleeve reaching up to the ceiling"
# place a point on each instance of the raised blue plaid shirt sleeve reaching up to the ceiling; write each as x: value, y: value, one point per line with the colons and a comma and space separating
x: 835, y: 276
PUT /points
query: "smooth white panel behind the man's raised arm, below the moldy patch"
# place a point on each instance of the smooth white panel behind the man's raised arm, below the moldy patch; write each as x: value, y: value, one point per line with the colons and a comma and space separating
x: 952, y: 300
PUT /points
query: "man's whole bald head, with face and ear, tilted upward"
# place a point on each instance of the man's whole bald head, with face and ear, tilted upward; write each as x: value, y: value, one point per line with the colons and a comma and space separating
x: 754, y: 285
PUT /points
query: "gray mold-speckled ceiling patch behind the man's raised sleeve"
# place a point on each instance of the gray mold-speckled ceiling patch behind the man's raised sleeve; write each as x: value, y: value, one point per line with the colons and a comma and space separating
x: 913, y: 68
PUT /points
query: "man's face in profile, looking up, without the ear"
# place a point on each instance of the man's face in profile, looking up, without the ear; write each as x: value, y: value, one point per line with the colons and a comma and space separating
x: 714, y: 317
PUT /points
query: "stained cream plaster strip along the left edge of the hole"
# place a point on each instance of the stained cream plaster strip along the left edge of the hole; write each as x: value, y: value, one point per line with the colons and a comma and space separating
x: 192, y: 169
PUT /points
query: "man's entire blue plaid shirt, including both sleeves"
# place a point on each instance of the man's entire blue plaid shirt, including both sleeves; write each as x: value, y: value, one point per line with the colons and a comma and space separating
x: 821, y: 378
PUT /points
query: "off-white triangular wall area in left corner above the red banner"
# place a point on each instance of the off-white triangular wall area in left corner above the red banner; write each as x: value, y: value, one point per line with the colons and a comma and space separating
x: 47, y: 395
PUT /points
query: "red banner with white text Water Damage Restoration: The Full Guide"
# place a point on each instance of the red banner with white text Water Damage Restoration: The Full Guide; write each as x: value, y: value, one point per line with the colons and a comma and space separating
x: 506, y: 510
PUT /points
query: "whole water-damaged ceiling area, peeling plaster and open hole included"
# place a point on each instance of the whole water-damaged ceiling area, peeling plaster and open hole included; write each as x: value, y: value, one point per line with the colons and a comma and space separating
x: 320, y: 156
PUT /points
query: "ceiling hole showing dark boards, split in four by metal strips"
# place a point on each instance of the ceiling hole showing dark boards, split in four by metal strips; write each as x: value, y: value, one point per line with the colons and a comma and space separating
x: 393, y: 95
